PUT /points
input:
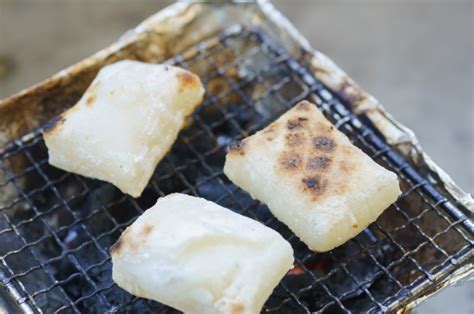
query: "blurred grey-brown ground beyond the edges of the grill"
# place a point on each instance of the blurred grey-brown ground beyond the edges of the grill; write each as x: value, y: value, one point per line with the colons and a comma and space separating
x: 415, y: 56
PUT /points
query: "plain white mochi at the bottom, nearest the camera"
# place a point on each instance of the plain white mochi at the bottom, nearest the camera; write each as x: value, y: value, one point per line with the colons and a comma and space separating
x: 199, y: 257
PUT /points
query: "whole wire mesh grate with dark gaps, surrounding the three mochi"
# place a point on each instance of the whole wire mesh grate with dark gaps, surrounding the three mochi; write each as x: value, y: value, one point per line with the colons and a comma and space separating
x: 56, y: 227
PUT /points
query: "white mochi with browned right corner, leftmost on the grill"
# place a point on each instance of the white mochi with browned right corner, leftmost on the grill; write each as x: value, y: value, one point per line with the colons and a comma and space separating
x: 124, y: 124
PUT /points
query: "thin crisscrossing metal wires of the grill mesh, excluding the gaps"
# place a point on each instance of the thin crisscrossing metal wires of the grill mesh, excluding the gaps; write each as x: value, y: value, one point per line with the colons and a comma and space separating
x: 359, y: 131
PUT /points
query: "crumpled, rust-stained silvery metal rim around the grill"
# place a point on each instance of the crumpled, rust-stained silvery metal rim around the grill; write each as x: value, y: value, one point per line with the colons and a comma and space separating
x: 183, y: 24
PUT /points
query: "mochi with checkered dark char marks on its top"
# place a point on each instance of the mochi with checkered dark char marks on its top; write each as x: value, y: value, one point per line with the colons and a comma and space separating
x: 312, y: 178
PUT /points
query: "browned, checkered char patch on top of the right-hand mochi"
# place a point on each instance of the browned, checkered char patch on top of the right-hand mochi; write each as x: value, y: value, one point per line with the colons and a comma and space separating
x: 310, y: 151
